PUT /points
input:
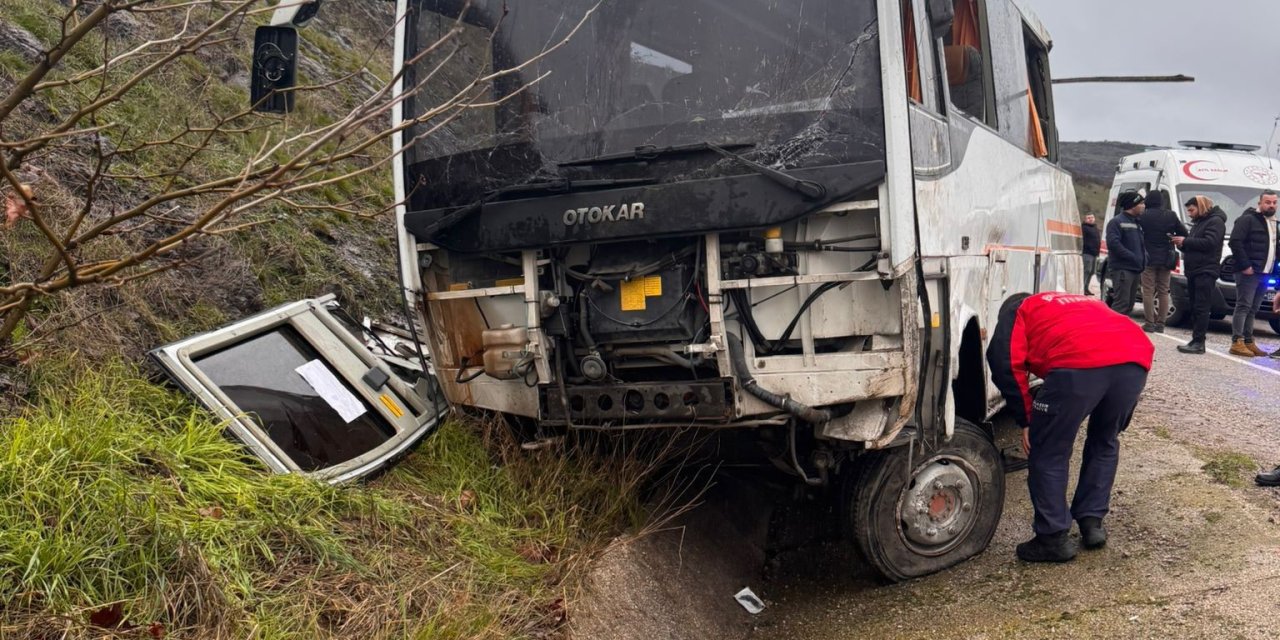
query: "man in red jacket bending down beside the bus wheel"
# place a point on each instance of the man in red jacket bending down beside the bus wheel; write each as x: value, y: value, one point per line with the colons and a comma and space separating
x: 1094, y: 363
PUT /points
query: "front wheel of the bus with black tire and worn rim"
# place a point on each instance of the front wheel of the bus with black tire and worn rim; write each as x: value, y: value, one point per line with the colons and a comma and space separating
x: 880, y: 496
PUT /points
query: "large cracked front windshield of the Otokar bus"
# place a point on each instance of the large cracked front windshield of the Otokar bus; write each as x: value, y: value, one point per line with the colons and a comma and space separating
x: 508, y: 92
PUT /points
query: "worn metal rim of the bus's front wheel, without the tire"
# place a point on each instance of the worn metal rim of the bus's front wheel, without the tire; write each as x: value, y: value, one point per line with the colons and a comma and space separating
x: 940, y: 506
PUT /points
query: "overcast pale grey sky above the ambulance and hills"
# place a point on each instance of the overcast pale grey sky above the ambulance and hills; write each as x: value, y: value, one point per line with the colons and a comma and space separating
x: 1232, y: 48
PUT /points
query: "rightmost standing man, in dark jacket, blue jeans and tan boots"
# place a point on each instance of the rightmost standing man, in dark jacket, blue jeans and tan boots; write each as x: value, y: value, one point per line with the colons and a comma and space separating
x: 1254, y: 252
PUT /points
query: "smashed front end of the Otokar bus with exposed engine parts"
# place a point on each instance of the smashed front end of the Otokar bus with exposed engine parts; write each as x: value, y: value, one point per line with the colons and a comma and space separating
x: 660, y: 213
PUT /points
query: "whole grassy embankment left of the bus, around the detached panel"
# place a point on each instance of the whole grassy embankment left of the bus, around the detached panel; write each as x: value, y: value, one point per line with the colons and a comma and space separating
x: 127, y: 513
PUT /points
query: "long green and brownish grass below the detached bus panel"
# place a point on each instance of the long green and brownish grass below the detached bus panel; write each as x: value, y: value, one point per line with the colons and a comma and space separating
x: 122, y: 499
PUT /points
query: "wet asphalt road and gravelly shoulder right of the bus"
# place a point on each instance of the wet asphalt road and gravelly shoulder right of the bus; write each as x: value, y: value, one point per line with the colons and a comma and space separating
x: 1188, y: 557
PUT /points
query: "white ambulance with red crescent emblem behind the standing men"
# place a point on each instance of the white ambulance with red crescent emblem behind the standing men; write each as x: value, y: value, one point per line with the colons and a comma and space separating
x: 1232, y: 176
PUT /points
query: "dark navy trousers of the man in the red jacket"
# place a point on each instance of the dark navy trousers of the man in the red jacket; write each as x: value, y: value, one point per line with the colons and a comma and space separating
x: 1108, y: 397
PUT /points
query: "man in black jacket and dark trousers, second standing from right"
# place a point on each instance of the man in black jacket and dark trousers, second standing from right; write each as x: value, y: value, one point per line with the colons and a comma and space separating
x: 1203, y: 259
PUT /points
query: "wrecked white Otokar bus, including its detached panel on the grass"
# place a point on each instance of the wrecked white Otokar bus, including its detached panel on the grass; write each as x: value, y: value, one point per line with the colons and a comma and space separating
x: 793, y: 220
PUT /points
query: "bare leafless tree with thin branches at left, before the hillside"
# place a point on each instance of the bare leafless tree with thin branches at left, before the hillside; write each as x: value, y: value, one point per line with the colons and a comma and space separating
x: 205, y: 175
